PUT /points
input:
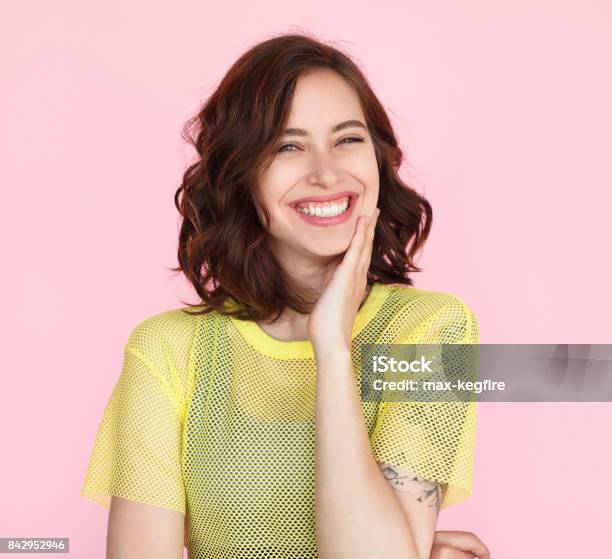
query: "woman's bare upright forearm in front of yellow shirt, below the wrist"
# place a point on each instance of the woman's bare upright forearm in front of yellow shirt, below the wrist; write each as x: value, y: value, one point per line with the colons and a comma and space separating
x: 357, y: 514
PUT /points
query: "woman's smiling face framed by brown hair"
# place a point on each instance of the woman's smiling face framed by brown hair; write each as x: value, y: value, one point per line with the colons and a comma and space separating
x: 319, y: 167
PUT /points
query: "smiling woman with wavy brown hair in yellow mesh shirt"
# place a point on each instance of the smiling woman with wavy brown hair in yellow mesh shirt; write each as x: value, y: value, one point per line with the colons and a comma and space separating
x: 241, y: 414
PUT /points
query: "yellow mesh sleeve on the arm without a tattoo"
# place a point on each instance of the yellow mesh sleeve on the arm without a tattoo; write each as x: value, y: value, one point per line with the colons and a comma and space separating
x: 137, y: 450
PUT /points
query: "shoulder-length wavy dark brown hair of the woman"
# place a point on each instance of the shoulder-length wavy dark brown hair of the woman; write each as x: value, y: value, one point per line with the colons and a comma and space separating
x: 224, y: 249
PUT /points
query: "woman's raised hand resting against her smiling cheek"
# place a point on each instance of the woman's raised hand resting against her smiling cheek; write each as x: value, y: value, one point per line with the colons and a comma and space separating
x: 332, y: 319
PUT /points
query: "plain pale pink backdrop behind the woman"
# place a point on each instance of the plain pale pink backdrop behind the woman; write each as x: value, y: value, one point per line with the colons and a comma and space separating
x: 503, y: 109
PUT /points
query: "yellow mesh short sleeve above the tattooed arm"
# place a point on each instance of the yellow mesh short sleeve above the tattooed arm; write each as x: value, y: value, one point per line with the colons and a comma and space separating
x: 434, y: 440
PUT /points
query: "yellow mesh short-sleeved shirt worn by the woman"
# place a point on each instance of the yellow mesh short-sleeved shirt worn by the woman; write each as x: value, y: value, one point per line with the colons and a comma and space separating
x: 213, y: 417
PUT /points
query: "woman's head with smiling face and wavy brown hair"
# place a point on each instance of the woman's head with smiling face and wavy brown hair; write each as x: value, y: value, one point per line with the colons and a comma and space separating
x: 294, y: 120
